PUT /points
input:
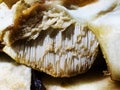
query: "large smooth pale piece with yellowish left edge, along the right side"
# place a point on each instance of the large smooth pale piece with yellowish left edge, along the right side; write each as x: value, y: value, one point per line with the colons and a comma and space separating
x: 107, y: 30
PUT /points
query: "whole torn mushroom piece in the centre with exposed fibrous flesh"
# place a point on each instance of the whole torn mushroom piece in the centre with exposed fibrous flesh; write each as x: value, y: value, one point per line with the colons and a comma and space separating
x: 53, y: 42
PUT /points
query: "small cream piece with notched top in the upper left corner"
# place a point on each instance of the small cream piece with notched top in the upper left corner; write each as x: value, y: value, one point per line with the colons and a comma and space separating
x: 7, y: 15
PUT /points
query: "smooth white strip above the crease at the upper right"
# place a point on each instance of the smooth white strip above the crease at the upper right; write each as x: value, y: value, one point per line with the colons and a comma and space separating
x: 91, y: 11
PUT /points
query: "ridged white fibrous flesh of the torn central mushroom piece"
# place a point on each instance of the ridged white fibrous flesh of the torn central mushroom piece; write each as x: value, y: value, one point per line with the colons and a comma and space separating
x: 58, y: 53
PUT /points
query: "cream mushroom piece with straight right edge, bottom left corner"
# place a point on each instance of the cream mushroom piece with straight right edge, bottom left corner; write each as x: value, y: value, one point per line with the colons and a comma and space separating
x: 12, y: 75
